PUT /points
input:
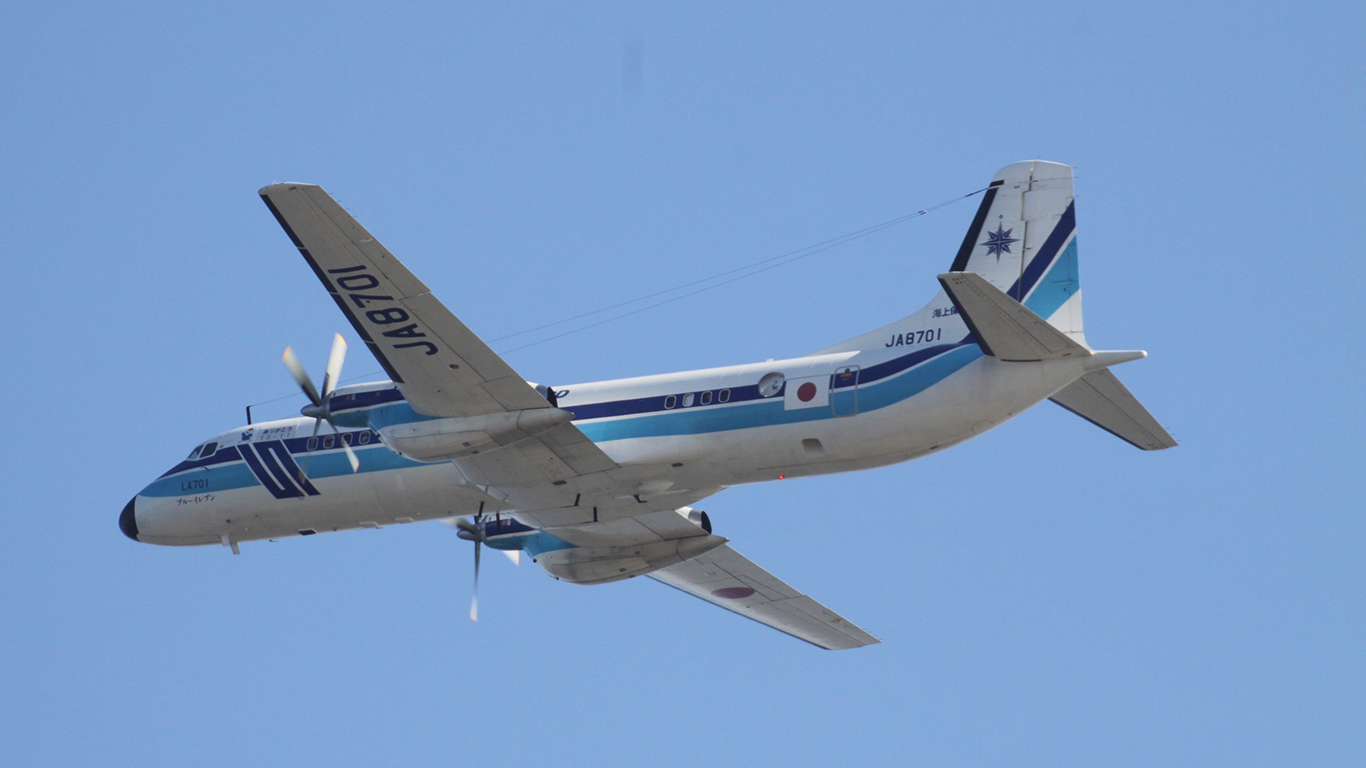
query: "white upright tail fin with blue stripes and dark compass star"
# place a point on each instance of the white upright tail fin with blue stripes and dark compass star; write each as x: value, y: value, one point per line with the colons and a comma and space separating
x: 1024, y: 241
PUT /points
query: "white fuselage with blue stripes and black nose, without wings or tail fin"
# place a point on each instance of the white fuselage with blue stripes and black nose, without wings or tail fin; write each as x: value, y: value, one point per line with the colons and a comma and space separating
x: 673, y: 430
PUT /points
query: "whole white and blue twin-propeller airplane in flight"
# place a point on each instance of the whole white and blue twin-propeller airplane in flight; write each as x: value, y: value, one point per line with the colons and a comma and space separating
x: 596, y: 482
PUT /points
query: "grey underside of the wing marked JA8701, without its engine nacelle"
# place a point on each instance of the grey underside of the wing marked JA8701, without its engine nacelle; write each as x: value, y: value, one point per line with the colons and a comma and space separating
x: 441, y: 366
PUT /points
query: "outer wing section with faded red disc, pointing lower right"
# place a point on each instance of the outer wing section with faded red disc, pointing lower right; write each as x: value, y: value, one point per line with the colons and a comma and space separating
x: 730, y: 580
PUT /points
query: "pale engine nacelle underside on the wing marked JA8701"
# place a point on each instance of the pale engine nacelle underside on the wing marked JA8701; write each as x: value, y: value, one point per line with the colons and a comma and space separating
x: 446, y: 439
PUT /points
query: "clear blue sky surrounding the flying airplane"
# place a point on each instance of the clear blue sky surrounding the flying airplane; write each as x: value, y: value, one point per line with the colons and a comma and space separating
x: 1047, y: 595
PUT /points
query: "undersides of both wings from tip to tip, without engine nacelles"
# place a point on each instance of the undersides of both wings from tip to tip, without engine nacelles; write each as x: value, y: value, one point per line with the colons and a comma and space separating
x: 561, y: 480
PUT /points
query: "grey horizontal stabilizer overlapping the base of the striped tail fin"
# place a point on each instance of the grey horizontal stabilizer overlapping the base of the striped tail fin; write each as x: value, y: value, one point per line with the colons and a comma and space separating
x: 1006, y: 329
